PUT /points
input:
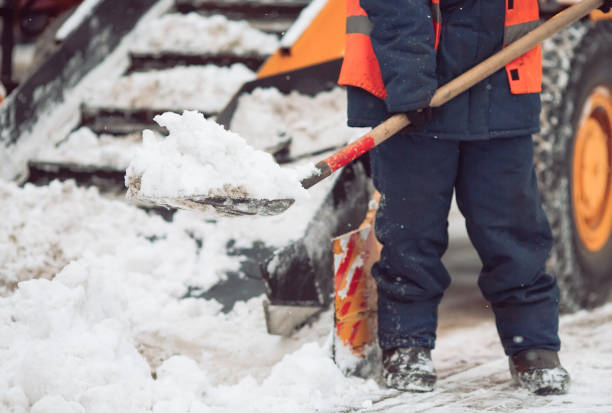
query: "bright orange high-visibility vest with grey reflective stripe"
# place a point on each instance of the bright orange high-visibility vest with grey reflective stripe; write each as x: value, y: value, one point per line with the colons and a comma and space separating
x: 361, y: 67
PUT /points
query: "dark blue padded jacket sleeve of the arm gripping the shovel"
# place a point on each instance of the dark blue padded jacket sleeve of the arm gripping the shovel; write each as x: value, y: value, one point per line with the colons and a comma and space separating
x: 403, y: 39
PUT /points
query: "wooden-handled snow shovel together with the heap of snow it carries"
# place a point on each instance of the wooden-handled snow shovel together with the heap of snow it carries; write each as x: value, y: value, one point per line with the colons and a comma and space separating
x: 253, y: 195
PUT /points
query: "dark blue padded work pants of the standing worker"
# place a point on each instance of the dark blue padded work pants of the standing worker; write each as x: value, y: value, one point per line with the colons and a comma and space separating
x: 497, y: 193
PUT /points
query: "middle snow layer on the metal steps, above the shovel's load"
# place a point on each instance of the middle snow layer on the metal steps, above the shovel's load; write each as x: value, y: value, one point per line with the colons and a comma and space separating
x: 205, y: 88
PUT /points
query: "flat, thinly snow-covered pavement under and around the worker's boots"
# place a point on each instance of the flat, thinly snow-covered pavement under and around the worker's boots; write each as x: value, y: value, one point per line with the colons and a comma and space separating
x: 474, y: 373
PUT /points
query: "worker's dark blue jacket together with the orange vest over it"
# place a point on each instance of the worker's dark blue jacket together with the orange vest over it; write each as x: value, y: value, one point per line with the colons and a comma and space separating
x: 402, y: 50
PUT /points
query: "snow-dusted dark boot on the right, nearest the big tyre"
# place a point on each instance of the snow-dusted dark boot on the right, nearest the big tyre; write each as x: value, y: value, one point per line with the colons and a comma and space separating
x: 539, y: 371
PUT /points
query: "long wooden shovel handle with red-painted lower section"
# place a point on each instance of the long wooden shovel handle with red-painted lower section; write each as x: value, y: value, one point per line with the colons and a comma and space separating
x: 453, y: 88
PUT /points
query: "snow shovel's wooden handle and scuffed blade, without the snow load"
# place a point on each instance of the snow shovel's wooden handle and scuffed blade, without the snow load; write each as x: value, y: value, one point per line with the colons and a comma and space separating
x: 228, y: 205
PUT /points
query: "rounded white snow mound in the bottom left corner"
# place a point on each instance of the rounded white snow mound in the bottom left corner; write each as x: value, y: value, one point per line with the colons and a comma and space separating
x: 68, y: 344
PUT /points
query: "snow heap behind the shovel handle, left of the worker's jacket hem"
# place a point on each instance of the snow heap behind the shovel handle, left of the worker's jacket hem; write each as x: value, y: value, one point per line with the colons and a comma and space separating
x: 266, y: 117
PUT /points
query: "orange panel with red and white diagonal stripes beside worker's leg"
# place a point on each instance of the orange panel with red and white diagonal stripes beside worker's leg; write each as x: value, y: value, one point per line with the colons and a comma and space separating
x: 354, y: 338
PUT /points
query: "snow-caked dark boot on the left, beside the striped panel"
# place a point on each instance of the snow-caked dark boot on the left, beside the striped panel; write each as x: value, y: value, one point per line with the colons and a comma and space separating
x: 409, y: 369
